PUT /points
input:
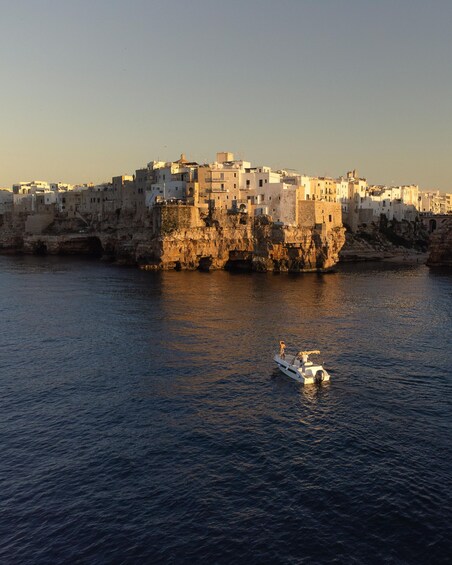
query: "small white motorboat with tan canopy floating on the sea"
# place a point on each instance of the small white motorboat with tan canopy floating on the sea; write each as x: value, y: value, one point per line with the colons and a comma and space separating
x: 300, y: 368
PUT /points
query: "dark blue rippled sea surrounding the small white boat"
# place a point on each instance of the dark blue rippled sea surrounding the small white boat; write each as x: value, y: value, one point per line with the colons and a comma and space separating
x: 142, y: 421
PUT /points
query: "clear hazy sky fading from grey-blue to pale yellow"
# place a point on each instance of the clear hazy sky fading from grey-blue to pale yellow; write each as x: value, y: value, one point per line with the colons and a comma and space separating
x: 94, y: 89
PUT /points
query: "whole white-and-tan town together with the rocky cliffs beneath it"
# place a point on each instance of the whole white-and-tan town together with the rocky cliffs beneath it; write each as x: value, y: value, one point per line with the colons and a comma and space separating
x: 226, y: 214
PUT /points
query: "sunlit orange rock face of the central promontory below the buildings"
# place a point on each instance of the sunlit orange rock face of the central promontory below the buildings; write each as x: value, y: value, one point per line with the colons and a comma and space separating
x: 239, y: 242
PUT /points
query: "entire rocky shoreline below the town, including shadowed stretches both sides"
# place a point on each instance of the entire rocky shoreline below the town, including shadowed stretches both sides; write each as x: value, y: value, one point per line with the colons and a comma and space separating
x: 229, y: 243
